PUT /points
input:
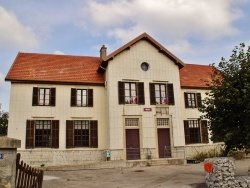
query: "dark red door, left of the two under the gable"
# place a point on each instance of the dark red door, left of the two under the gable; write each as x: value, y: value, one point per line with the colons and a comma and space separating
x: 132, y: 144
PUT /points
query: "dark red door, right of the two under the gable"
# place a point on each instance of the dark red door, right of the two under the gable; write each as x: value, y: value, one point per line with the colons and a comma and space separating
x: 164, y: 143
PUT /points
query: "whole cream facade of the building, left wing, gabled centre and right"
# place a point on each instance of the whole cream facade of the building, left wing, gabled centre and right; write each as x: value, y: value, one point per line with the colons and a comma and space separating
x: 117, y: 123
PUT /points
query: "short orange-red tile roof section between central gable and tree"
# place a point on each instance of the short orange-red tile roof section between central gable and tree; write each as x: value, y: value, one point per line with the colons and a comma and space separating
x: 195, y: 76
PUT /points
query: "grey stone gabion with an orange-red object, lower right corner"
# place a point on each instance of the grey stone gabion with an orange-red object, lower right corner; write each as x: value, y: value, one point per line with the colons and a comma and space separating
x: 220, y: 173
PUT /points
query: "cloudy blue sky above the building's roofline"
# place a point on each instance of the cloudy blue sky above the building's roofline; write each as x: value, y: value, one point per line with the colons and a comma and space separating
x: 196, y: 31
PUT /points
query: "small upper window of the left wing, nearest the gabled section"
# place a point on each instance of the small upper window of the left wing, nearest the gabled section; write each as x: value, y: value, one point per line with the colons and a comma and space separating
x: 82, y: 97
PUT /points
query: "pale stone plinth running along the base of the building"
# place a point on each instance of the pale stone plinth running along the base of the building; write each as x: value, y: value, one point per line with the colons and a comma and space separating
x: 54, y: 157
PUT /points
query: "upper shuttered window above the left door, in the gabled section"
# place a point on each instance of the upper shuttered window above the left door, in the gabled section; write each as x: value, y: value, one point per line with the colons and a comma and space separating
x: 131, y: 92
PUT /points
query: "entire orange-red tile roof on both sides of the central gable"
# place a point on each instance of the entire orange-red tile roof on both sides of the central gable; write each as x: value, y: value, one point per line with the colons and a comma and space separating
x: 33, y: 67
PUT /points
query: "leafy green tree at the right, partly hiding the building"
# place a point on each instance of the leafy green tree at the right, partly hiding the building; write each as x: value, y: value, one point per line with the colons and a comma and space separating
x: 227, y: 105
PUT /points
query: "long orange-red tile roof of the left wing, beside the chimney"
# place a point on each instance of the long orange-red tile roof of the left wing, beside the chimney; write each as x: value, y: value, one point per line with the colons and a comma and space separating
x: 55, y: 68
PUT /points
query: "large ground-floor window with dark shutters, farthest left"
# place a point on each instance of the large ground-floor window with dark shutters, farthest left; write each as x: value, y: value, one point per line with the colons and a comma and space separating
x: 42, y: 134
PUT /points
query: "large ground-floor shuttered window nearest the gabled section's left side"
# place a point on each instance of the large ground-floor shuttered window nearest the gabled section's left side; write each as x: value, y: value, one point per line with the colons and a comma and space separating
x: 81, y: 133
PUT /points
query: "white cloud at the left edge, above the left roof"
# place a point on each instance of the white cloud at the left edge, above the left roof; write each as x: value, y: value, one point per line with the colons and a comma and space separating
x: 13, y: 34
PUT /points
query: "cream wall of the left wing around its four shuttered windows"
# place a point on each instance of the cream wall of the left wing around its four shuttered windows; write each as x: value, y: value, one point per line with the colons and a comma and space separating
x: 22, y: 110
